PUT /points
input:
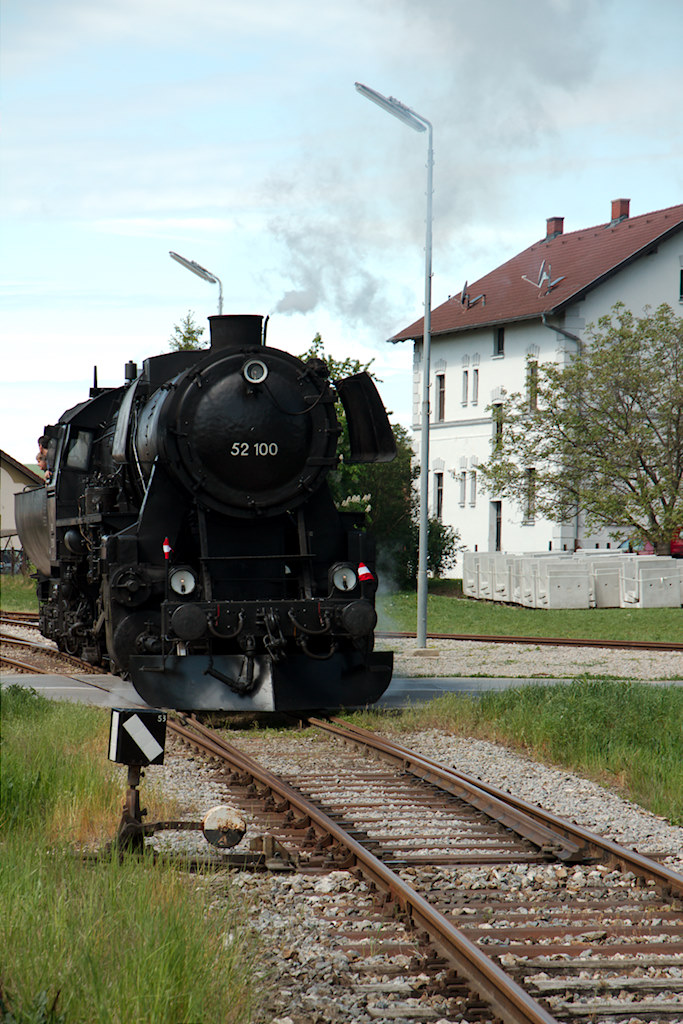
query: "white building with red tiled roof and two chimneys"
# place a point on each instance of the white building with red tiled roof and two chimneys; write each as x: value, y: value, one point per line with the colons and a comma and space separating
x: 538, y: 305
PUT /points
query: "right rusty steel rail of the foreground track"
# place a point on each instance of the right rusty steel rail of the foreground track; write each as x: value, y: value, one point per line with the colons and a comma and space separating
x: 630, y: 861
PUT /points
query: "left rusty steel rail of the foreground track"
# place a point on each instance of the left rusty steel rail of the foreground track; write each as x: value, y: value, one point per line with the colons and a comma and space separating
x: 507, y: 999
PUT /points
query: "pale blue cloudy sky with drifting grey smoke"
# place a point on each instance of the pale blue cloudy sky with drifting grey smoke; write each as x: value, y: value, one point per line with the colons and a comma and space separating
x: 231, y: 133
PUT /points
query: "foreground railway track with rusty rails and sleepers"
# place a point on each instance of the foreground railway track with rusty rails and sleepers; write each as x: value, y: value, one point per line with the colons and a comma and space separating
x: 542, y: 920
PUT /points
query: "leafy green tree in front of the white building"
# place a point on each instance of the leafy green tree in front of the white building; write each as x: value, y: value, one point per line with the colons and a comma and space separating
x: 604, y: 435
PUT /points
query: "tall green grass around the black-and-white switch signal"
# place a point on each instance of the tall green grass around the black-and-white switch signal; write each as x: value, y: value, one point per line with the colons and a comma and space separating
x: 113, y: 942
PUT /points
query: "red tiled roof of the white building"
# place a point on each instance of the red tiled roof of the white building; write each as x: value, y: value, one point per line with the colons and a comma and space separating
x: 567, y: 266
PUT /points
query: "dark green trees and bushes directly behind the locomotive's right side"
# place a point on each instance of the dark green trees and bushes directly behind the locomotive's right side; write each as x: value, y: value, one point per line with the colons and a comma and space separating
x: 386, y: 493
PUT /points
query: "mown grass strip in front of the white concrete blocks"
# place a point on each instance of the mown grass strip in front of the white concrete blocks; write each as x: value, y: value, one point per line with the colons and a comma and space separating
x: 452, y: 615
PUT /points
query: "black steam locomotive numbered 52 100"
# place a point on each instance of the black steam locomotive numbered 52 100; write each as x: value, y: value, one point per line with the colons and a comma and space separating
x: 188, y: 538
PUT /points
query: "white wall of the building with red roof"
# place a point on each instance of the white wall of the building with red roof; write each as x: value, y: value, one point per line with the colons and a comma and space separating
x: 461, y: 442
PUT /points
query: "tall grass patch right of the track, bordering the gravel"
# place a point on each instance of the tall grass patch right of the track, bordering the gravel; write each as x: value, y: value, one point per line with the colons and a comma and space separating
x: 628, y: 736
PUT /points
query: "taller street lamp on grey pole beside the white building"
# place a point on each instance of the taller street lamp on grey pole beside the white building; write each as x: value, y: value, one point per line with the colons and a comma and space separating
x: 418, y: 123
